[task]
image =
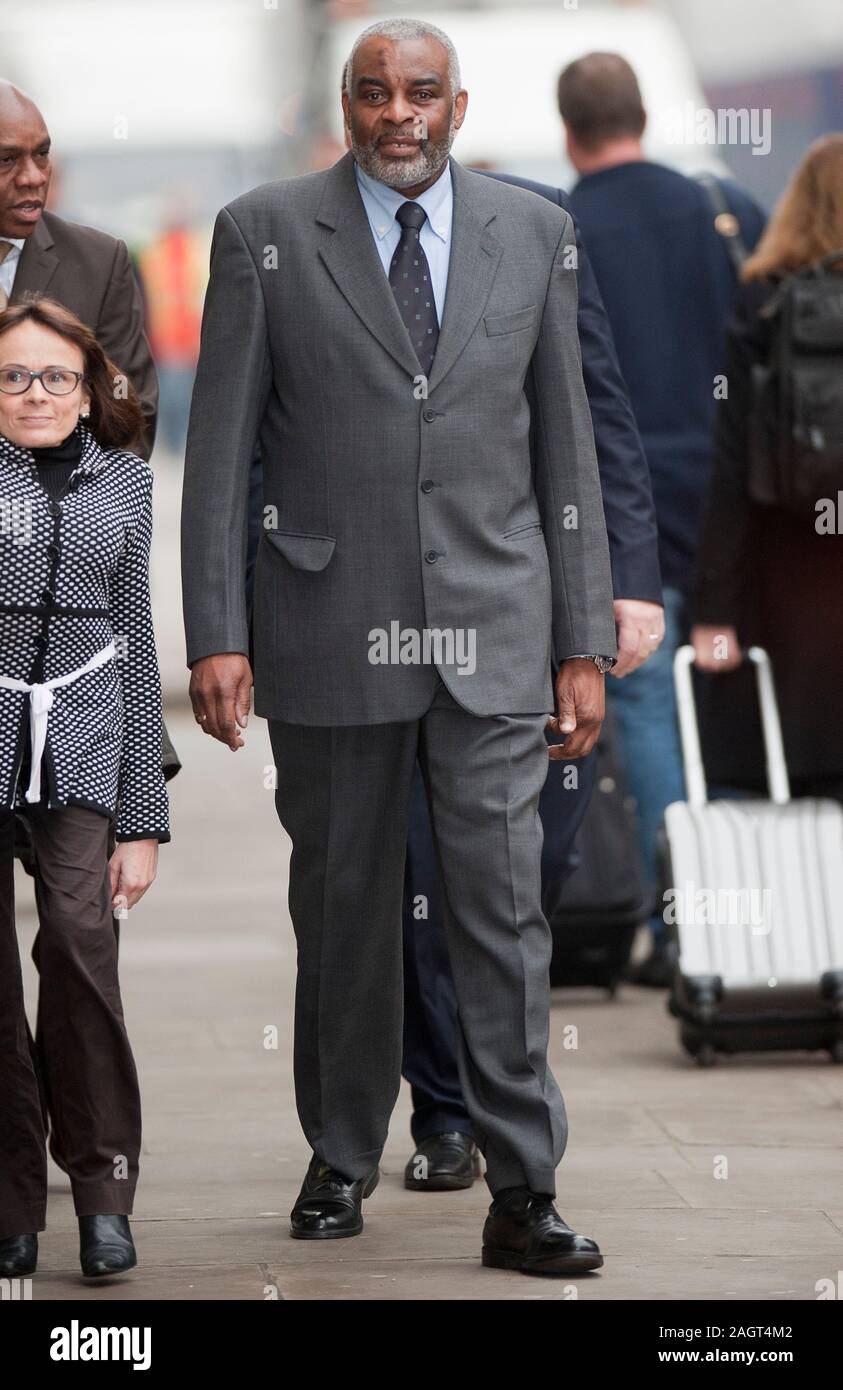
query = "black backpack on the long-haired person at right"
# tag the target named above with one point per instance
(796, 412)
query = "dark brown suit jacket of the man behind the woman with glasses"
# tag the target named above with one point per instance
(91, 275)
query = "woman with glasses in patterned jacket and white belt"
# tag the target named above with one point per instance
(81, 758)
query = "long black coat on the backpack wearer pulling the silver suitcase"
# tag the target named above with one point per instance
(770, 575)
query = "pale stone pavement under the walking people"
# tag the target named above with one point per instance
(208, 967)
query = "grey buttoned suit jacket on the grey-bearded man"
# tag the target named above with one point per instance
(476, 509)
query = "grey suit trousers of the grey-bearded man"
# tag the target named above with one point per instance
(343, 796)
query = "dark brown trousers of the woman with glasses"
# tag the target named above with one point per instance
(83, 1068)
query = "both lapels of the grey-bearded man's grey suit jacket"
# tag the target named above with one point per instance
(353, 261)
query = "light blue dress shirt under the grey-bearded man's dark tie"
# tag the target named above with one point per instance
(382, 204)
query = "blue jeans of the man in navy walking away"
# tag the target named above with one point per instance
(645, 708)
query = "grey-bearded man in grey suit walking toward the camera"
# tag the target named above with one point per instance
(433, 580)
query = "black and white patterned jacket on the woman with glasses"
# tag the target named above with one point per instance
(74, 576)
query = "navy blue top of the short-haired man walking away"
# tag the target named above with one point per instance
(668, 287)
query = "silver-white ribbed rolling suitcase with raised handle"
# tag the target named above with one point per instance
(755, 897)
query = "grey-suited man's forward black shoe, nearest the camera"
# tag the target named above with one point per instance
(524, 1231)
